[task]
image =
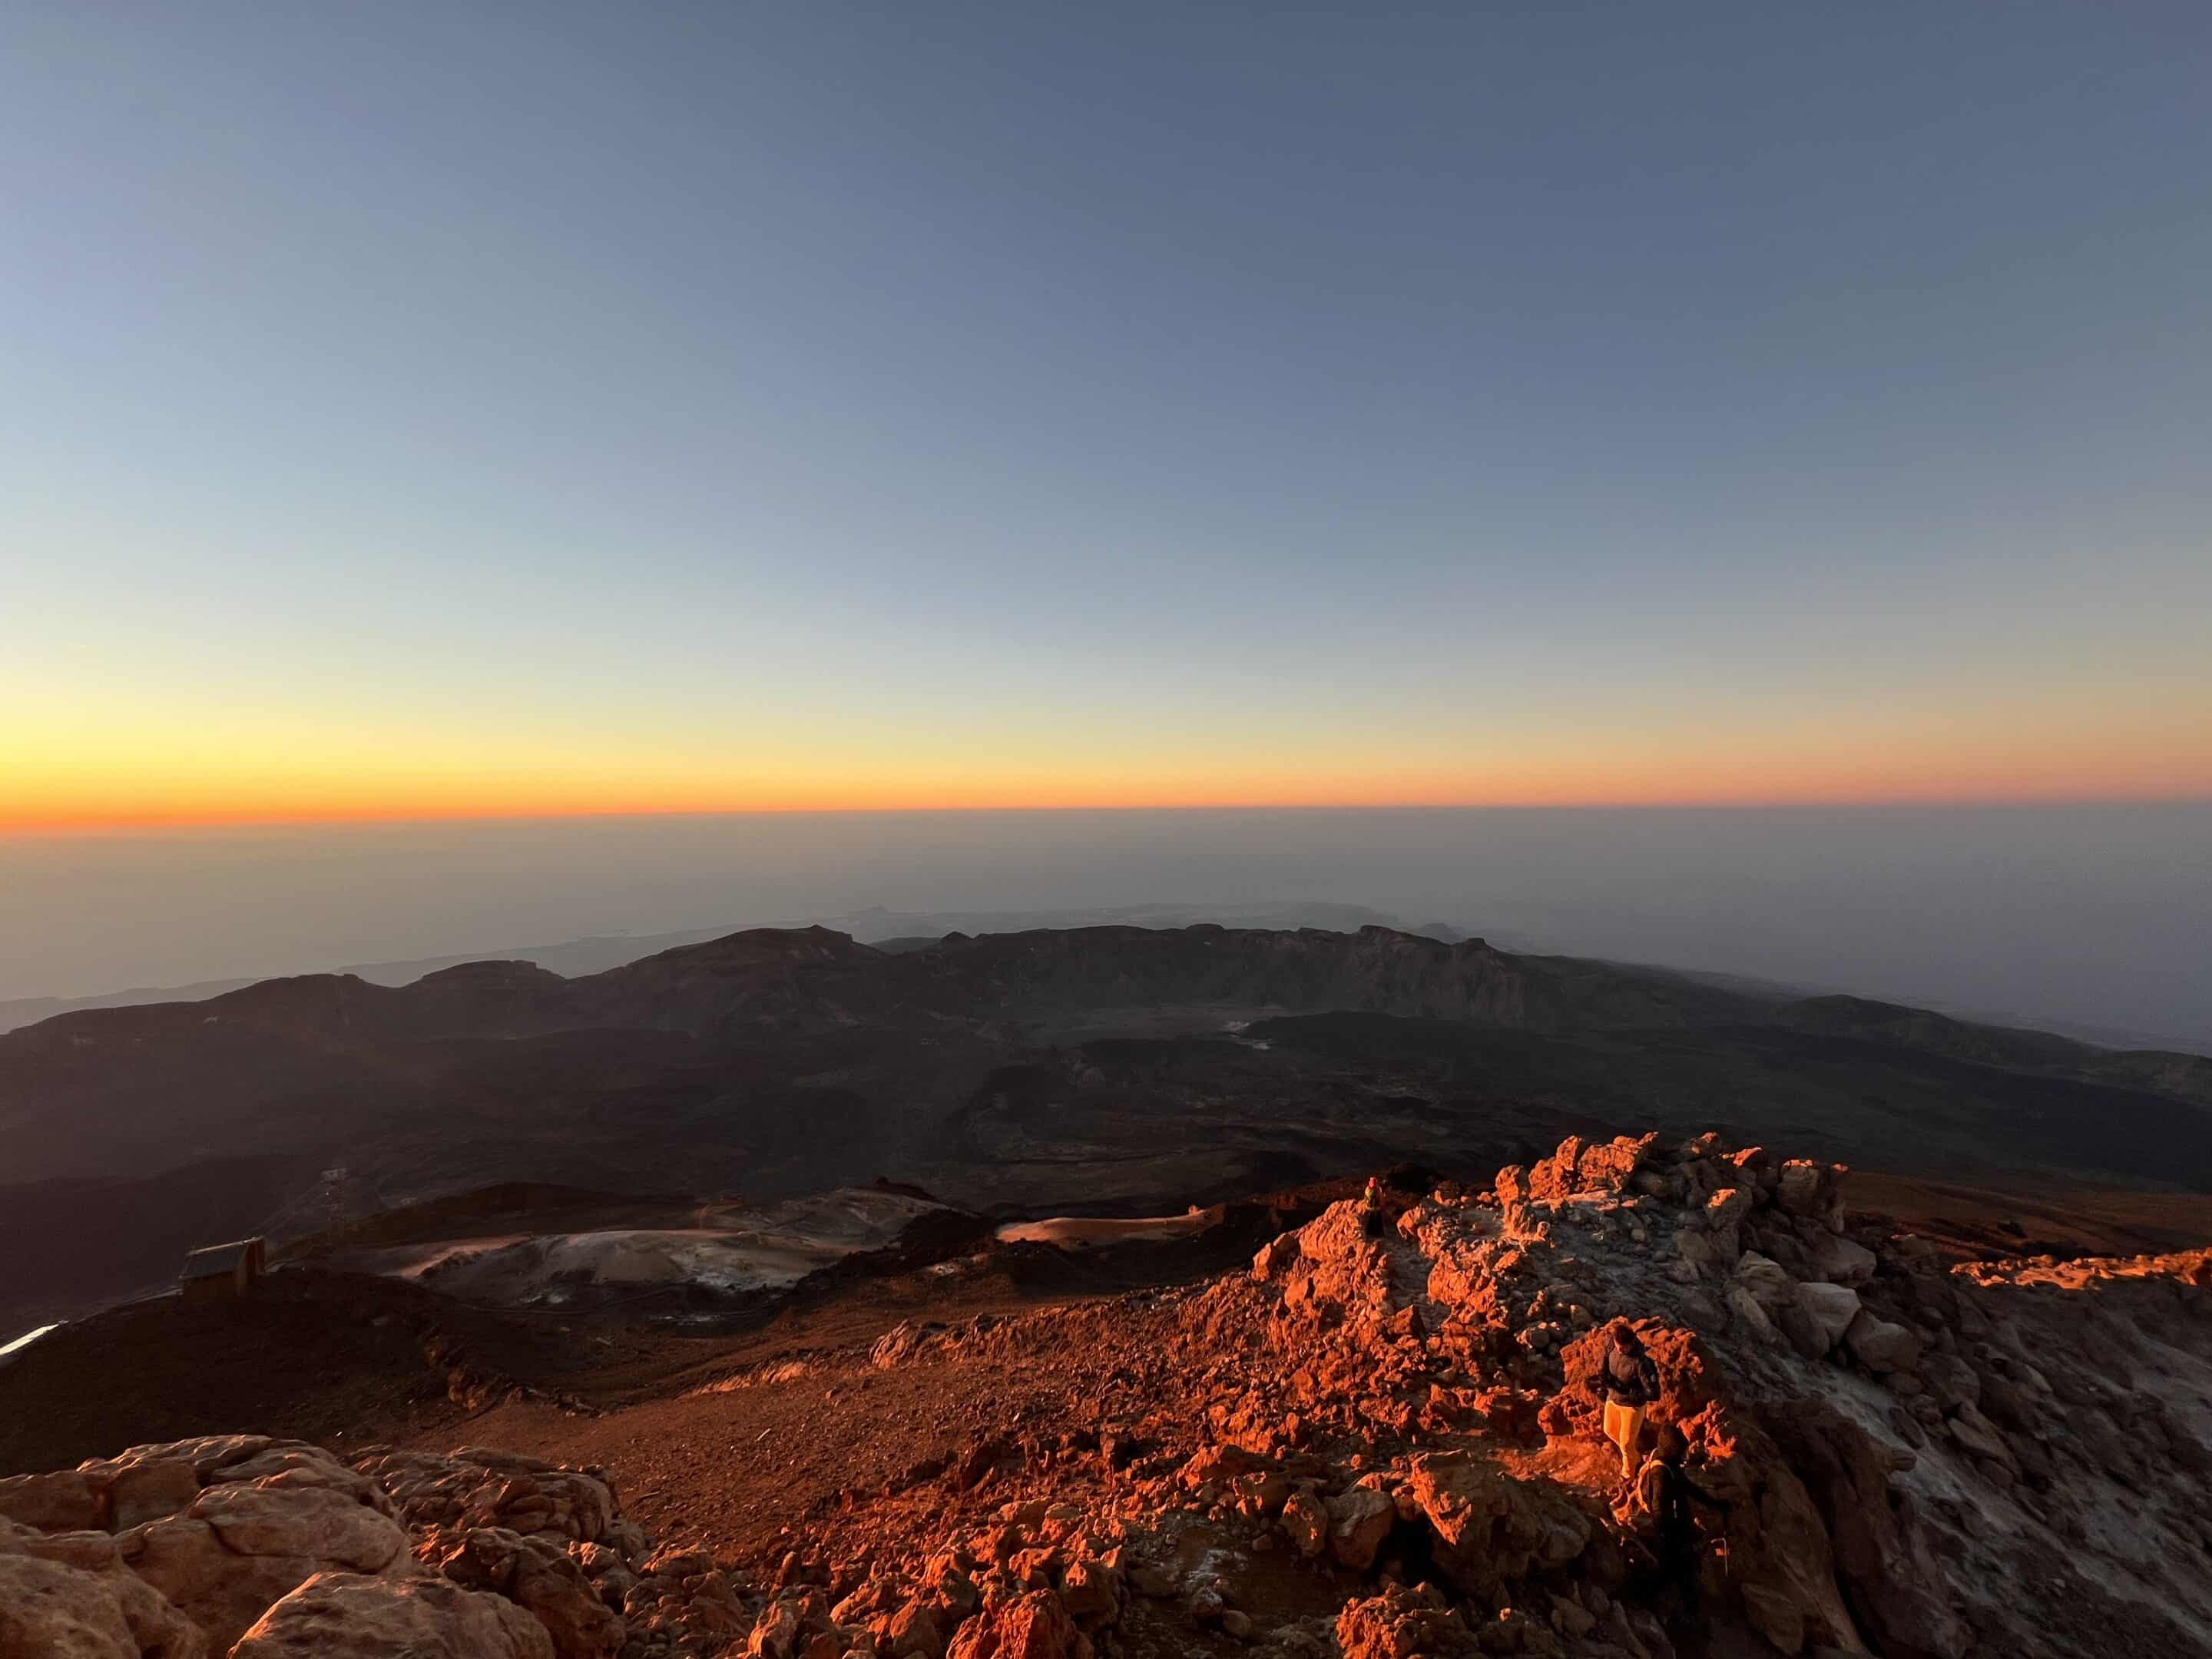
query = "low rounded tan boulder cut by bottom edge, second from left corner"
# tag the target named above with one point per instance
(346, 1616)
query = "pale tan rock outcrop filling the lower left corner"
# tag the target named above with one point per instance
(275, 1547)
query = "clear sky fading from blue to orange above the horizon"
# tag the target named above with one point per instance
(426, 410)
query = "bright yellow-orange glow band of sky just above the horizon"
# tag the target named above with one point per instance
(253, 773)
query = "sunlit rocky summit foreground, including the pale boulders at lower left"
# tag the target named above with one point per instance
(1384, 1439)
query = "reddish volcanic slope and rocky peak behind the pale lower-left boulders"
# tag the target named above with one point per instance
(1379, 1430)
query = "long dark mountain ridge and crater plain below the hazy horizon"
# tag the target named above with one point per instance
(1089, 1070)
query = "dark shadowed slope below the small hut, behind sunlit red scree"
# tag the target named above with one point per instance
(348, 1359)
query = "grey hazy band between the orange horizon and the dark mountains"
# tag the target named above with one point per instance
(2098, 915)
